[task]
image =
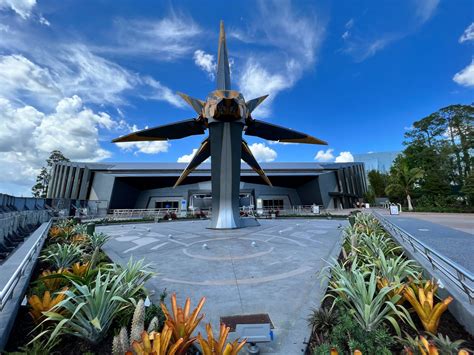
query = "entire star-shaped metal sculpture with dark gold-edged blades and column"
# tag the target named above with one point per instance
(226, 114)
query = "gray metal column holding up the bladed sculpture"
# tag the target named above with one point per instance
(226, 138)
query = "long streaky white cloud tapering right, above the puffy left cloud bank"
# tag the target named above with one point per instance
(74, 70)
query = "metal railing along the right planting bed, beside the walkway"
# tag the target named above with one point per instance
(456, 274)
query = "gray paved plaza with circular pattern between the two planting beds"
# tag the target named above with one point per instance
(270, 269)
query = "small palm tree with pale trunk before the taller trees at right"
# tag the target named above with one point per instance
(403, 179)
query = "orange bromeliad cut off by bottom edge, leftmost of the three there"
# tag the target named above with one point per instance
(156, 344)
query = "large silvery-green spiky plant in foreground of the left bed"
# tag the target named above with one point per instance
(90, 308)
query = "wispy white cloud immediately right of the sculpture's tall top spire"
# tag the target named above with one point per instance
(291, 42)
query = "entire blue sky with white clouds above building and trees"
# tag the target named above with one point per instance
(76, 74)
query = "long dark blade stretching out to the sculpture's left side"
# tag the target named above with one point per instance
(175, 130)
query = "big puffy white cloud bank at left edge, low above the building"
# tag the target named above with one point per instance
(27, 136)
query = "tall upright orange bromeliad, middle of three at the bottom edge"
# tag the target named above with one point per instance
(183, 323)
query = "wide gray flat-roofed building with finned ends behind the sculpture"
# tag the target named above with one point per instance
(150, 185)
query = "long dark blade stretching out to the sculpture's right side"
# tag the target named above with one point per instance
(278, 133)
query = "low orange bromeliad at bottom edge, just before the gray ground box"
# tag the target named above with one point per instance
(218, 346)
